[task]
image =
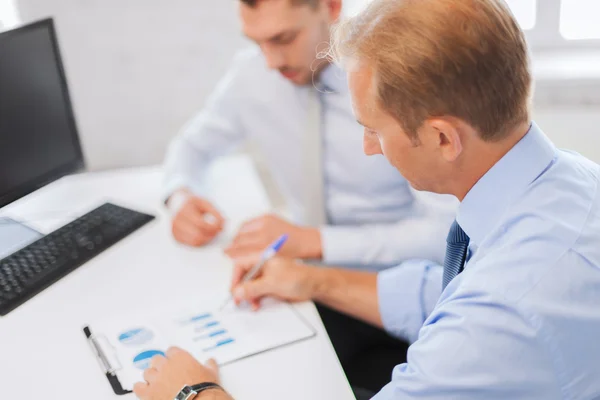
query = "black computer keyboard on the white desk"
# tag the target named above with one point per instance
(37, 266)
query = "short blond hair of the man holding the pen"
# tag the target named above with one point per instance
(462, 58)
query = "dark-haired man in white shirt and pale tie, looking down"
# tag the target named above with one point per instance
(345, 209)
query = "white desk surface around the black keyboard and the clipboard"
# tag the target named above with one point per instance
(43, 351)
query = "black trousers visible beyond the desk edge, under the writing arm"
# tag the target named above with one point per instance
(367, 354)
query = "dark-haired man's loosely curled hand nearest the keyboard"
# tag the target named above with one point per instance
(197, 222)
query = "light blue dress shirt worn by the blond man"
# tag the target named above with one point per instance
(523, 319)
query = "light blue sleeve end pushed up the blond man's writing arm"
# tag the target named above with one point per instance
(407, 295)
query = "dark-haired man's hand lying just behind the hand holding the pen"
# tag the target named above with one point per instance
(256, 235)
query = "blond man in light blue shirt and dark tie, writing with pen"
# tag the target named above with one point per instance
(443, 88)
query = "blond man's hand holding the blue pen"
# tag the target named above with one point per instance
(281, 278)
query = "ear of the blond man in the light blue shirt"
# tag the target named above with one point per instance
(445, 135)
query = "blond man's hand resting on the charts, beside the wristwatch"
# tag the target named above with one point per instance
(167, 375)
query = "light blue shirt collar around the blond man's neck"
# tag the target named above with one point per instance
(483, 206)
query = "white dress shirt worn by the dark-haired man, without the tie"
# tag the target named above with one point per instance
(374, 216)
